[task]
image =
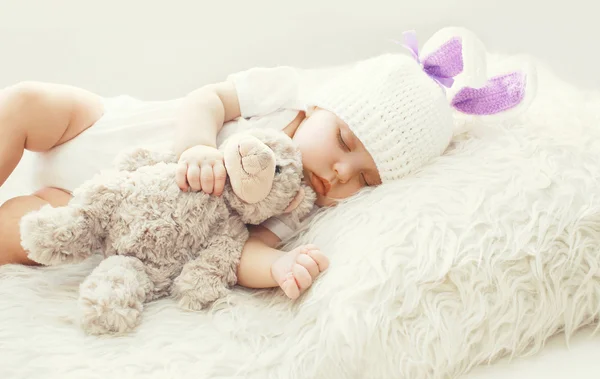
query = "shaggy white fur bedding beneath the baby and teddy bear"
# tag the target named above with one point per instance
(487, 252)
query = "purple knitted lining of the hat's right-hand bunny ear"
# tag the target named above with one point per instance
(499, 94)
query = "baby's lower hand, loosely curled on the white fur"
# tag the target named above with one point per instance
(295, 271)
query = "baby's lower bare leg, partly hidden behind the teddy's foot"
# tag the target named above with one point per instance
(10, 216)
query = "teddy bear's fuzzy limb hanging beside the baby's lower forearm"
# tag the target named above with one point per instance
(208, 277)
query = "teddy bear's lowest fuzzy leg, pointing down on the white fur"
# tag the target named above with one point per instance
(111, 298)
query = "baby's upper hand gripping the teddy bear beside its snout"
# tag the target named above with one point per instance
(201, 168)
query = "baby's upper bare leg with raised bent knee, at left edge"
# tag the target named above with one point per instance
(39, 116)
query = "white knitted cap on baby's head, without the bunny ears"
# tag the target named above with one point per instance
(398, 112)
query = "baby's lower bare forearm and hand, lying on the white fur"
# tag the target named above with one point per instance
(264, 266)
